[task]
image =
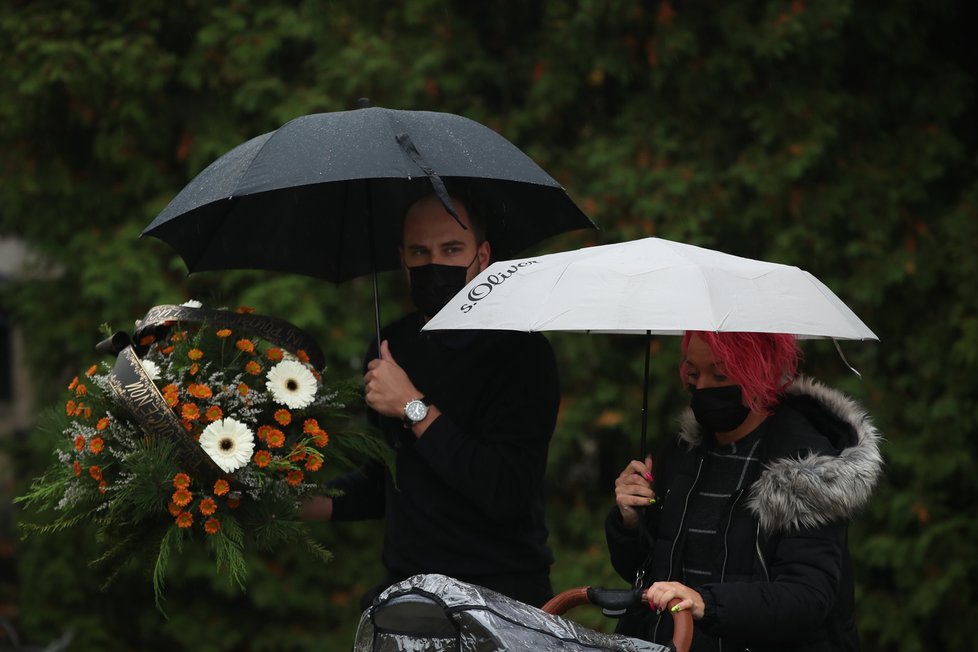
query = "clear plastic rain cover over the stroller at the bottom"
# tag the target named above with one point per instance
(435, 613)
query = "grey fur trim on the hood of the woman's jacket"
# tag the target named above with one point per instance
(812, 489)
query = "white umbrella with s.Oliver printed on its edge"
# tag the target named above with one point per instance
(649, 286)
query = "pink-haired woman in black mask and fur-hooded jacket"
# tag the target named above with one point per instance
(746, 520)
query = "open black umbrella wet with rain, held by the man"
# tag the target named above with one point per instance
(324, 194)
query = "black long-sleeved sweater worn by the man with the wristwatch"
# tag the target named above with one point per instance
(468, 498)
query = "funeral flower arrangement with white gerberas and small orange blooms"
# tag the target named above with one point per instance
(209, 426)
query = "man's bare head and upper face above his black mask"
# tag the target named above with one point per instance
(431, 235)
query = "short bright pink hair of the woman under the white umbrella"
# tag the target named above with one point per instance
(763, 364)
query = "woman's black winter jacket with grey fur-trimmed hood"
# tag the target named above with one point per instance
(787, 579)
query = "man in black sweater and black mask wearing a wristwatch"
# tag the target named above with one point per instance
(470, 415)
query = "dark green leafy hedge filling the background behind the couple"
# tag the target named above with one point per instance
(839, 136)
